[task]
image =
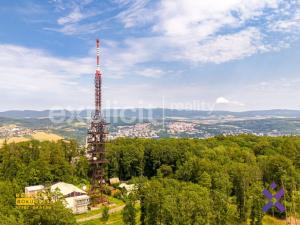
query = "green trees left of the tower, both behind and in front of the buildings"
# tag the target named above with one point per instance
(32, 163)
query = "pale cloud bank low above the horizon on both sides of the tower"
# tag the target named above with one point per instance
(31, 75)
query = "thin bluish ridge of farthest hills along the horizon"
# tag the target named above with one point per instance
(155, 113)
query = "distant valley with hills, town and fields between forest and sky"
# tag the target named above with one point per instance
(157, 123)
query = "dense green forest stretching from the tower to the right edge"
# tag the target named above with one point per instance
(230, 171)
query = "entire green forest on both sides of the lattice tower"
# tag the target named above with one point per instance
(178, 181)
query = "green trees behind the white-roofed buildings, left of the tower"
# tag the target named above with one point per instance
(34, 162)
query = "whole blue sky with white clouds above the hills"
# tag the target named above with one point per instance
(233, 55)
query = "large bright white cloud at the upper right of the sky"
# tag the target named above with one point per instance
(205, 31)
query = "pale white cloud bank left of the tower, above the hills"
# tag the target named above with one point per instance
(32, 75)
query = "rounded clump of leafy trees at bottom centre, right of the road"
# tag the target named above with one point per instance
(169, 201)
